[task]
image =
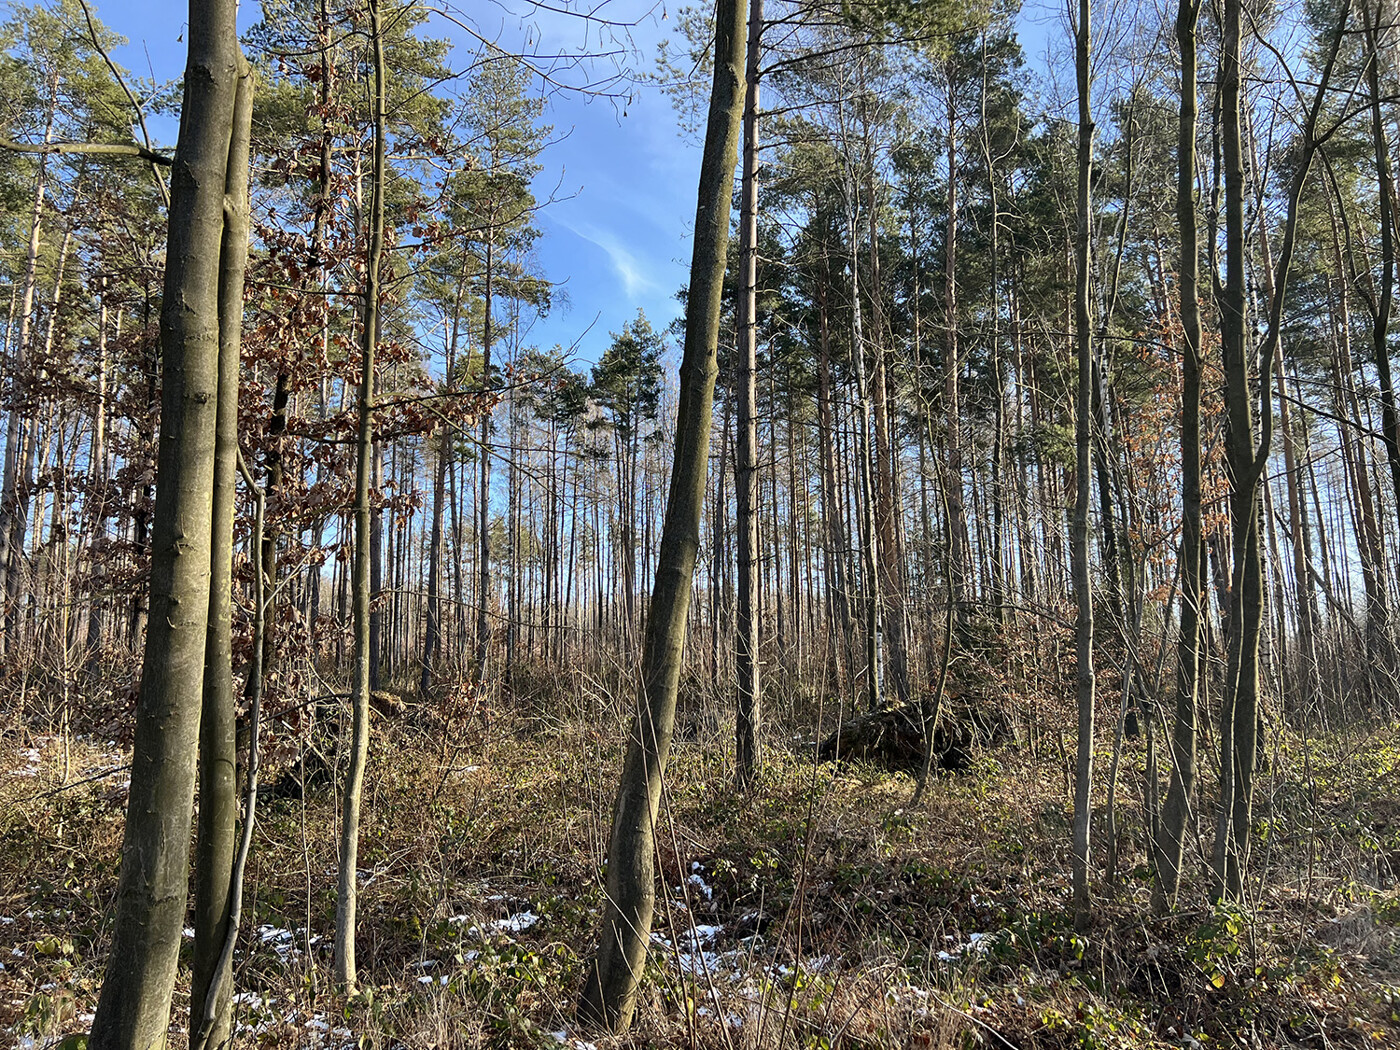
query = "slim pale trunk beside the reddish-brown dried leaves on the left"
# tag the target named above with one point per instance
(345, 968)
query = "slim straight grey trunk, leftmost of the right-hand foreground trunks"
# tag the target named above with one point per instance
(1080, 524)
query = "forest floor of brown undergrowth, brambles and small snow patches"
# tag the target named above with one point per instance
(821, 912)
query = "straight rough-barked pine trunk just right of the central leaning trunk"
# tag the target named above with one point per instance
(748, 696)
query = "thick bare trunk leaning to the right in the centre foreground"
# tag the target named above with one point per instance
(611, 986)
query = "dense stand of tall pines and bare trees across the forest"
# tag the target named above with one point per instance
(960, 405)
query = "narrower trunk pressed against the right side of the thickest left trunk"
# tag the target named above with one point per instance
(212, 971)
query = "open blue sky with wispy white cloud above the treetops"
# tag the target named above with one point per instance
(618, 239)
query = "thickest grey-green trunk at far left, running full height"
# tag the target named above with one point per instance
(134, 1010)
